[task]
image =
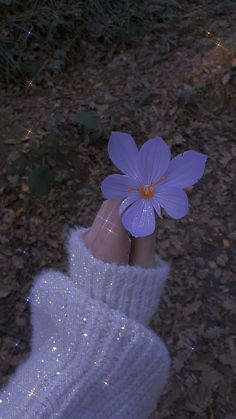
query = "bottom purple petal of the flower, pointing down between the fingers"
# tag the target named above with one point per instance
(139, 218)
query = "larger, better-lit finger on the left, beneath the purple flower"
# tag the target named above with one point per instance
(107, 238)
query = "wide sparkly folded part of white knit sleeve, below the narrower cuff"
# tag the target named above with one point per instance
(94, 361)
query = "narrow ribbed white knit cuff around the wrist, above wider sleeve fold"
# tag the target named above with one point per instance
(133, 290)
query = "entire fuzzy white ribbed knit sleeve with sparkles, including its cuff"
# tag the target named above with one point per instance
(92, 355)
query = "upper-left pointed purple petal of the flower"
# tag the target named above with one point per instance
(123, 153)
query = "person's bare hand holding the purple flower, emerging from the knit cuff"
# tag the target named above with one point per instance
(109, 241)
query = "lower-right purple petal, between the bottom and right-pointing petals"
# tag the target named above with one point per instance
(173, 200)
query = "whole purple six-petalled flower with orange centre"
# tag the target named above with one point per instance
(150, 181)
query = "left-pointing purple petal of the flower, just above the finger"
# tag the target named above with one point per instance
(117, 186)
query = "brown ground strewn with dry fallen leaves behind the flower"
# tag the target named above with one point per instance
(192, 106)
